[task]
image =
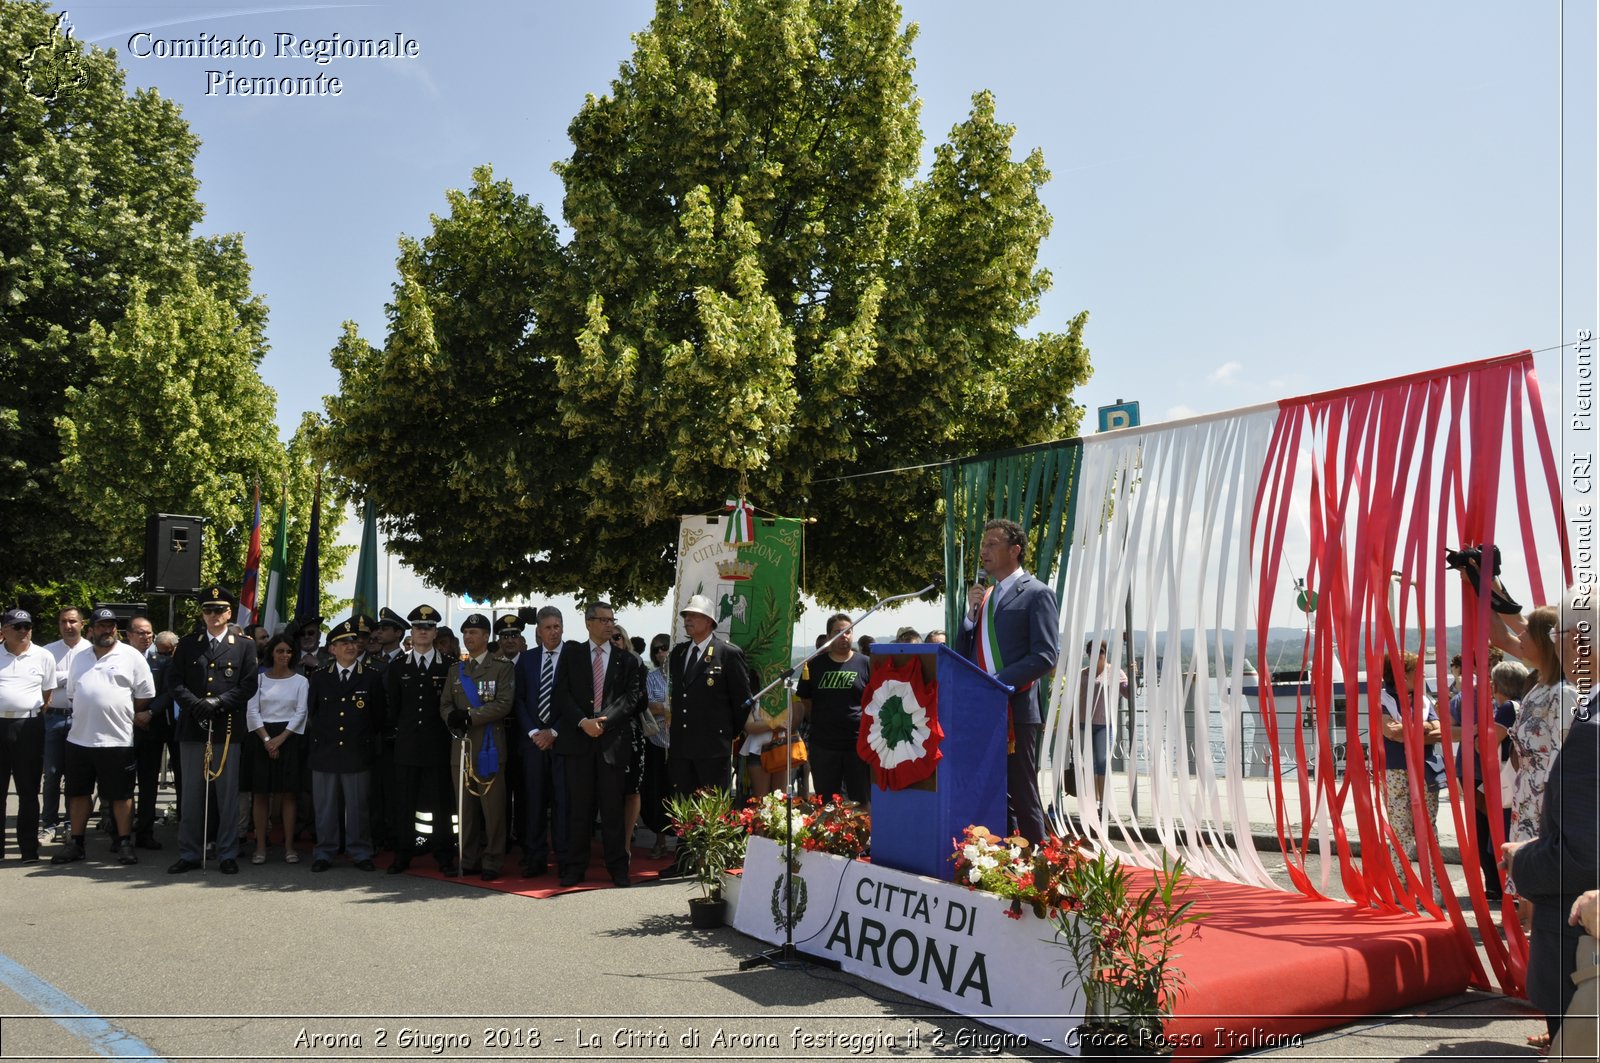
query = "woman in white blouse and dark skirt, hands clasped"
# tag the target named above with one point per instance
(273, 766)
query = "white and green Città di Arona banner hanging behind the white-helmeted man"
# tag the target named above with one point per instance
(751, 588)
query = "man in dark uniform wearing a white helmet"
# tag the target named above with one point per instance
(710, 700)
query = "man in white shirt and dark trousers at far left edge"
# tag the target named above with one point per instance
(28, 676)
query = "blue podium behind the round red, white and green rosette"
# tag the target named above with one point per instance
(916, 828)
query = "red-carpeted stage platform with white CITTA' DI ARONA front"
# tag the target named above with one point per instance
(1265, 968)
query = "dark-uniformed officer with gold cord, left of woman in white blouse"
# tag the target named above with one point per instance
(212, 678)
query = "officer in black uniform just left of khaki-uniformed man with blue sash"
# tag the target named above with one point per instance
(414, 686)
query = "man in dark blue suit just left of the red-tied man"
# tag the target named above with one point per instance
(545, 825)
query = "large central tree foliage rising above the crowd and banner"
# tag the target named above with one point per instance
(759, 291)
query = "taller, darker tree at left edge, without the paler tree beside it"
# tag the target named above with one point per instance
(97, 195)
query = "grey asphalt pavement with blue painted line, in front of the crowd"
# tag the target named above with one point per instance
(284, 965)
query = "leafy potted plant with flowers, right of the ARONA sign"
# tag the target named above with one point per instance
(1124, 944)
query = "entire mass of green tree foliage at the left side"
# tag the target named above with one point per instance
(129, 347)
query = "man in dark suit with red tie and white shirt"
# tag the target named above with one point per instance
(599, 696)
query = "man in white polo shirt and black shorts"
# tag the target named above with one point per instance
(111, 684)
